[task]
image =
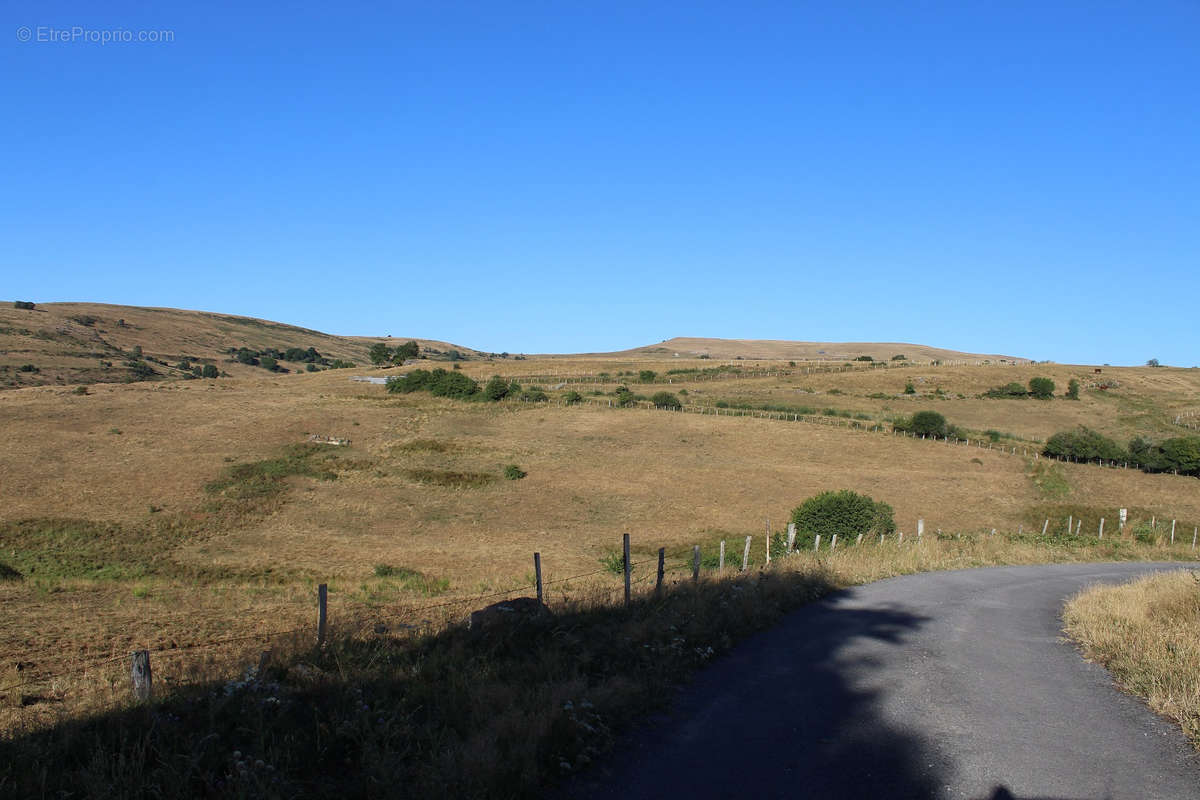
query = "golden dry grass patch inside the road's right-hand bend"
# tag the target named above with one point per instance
(1148, 635)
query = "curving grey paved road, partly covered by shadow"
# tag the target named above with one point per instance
(938, 685)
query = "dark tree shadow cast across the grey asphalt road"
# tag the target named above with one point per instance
(793, 713)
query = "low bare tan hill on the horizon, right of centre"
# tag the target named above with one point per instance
(778, 350)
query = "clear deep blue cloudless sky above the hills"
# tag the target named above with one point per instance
(1018, 178)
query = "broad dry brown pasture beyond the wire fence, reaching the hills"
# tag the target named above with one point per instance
(169, 514)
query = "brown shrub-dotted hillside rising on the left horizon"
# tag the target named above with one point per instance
(83, 344)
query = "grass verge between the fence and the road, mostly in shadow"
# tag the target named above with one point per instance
(476, 714)
